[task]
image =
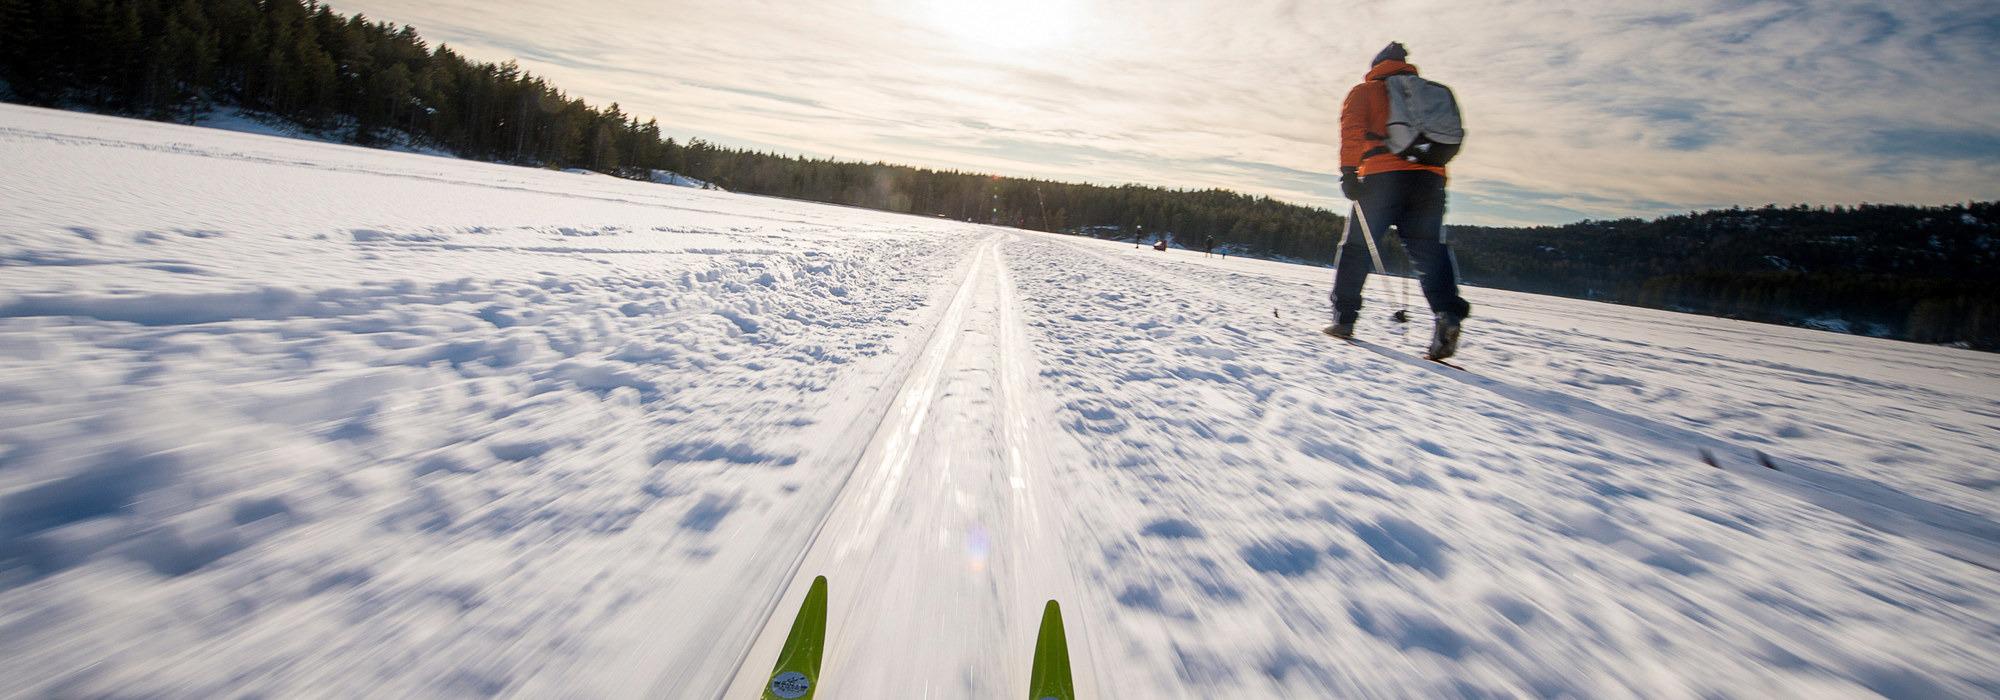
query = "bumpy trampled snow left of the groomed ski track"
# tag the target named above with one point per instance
(387, 433)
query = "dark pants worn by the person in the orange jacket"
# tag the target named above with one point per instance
(1413, 201)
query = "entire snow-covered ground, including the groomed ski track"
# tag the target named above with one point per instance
(291, 419)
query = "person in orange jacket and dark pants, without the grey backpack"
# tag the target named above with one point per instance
(1399, 193)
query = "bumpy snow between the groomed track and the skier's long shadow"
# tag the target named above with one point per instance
(1339, 523)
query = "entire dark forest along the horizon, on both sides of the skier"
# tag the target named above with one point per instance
(1897, 271)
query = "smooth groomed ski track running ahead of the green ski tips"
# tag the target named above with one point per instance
(945, 543)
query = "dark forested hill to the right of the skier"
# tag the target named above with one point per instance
(1917, 273)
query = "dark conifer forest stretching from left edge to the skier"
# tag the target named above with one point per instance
(375, 83)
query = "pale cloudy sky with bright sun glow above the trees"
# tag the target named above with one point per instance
(1573, 109)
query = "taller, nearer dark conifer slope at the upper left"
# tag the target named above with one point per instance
(309, 65)
